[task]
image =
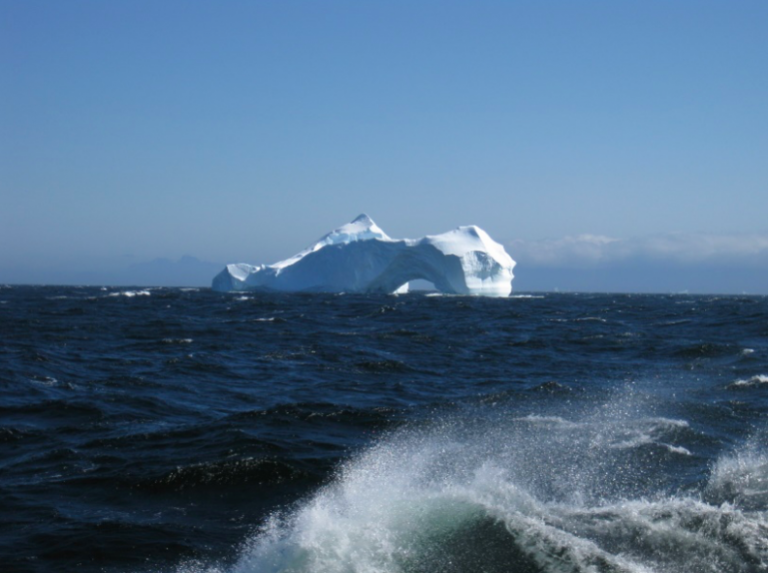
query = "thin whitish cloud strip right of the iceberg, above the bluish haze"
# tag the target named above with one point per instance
(589, 251)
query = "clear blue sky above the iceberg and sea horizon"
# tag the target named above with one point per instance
(580, 135)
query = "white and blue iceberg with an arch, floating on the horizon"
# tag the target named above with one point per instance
(360, 258)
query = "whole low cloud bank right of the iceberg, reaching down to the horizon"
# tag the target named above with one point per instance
(695, 263)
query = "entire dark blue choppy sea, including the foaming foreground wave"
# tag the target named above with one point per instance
(187, 431)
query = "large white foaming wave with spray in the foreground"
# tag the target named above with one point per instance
(530, 495)
